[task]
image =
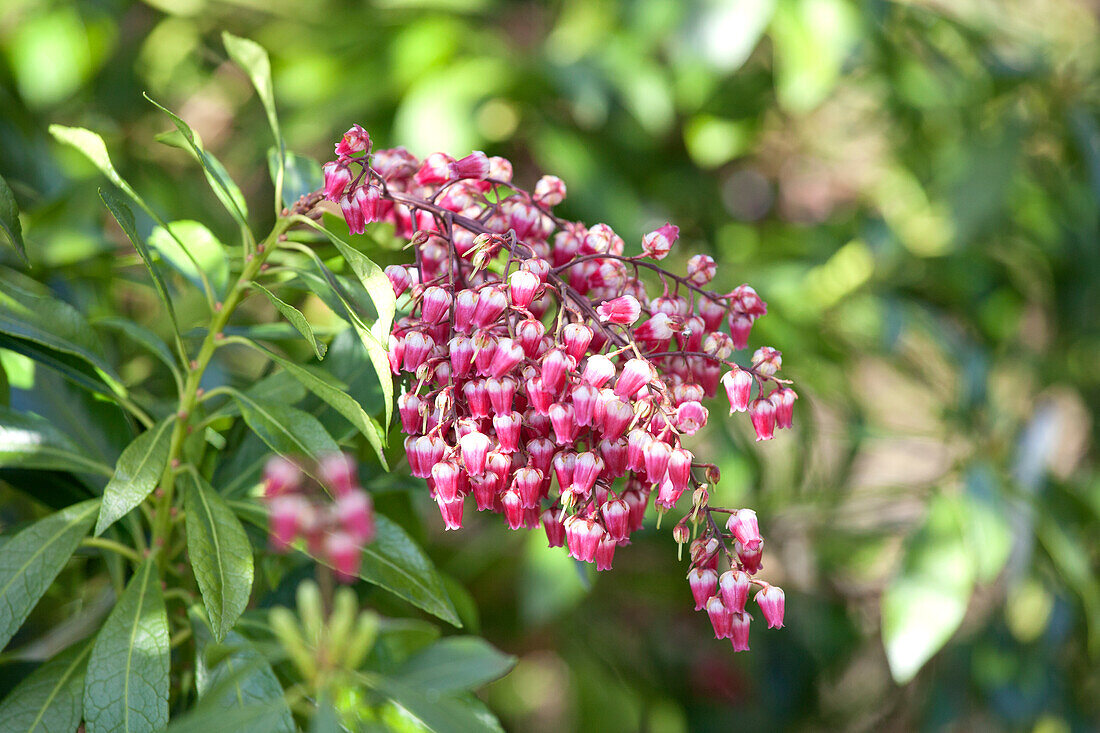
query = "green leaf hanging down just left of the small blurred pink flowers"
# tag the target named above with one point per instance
(221, 554)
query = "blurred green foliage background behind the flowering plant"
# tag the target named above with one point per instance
(914, 188)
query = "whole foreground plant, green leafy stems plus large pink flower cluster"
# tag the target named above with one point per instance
(545, 375)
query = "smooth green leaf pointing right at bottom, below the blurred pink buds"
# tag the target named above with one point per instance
(455, 664)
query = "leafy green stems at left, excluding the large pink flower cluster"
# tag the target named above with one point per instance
(191, 529)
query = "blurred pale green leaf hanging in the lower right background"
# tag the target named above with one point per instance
(926, 604)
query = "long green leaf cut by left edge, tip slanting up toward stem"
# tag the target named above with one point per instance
(30, 562)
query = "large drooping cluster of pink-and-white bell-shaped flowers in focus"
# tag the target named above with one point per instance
(545, 378)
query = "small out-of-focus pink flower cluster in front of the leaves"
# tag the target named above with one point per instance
(335, 516)
